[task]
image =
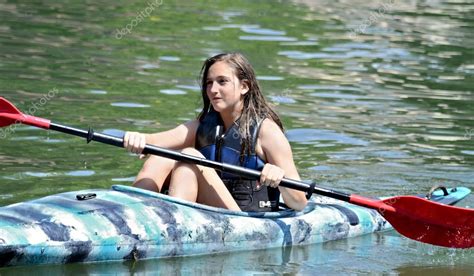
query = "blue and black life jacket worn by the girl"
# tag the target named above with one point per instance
(226, 147)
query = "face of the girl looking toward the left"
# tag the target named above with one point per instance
(224, 89)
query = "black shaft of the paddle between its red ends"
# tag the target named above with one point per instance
(90, 135)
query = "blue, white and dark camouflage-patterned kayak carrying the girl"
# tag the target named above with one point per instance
(127, 223)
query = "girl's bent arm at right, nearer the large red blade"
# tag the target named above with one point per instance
(279, 156)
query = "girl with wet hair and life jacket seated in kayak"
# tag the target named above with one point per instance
(236, 126)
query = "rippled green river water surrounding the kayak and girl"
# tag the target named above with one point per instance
(376, 97)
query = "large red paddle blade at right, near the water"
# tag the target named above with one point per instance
(431, 222)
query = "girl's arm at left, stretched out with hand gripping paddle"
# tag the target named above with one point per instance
(180, 137)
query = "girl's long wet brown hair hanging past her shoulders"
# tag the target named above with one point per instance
(255, 106)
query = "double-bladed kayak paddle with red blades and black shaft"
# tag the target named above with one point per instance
(416, 218)
